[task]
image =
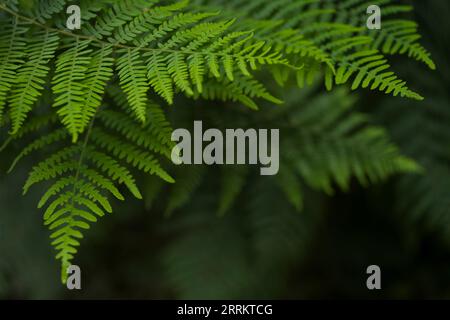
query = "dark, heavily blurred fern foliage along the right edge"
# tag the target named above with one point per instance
(423, 199)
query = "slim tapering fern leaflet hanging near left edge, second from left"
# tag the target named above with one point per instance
(31, 76)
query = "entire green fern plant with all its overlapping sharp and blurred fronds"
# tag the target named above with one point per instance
(95, 98)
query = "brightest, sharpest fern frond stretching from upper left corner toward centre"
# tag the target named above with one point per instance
(151, 46)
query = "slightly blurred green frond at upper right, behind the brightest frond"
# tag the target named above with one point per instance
(324, 34)
